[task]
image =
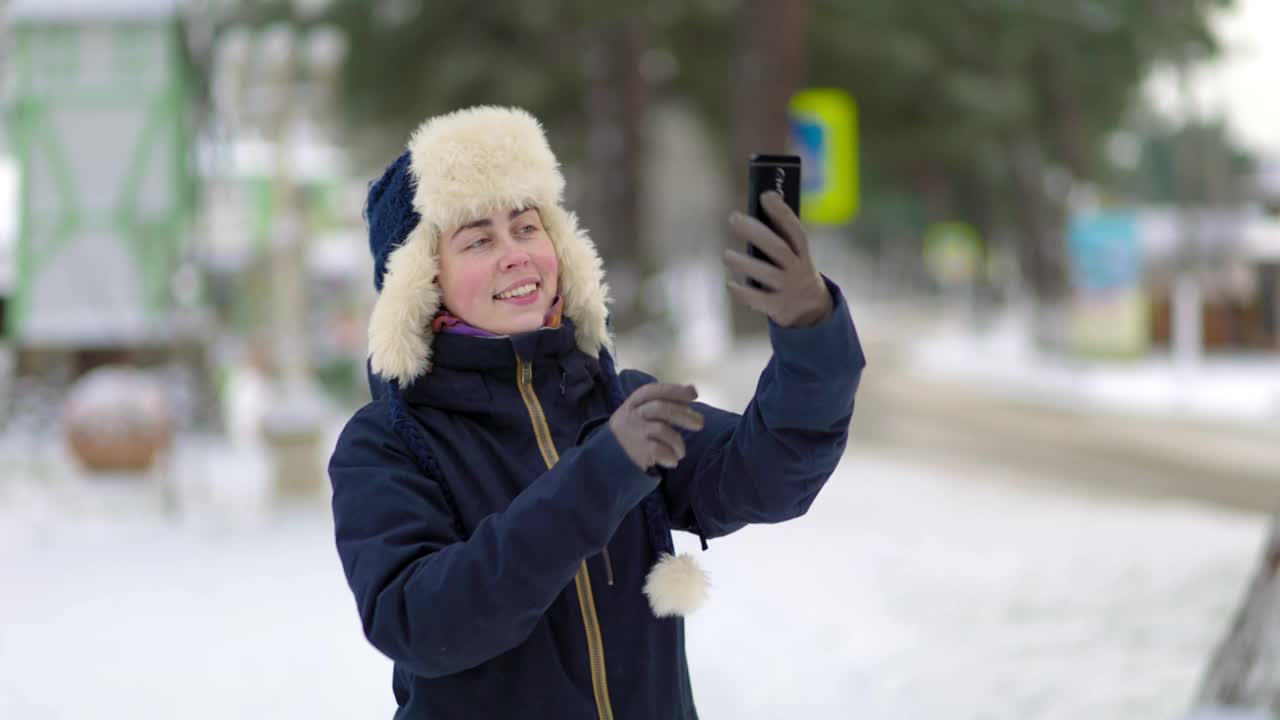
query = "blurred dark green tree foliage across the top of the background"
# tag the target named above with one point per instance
(986, 111)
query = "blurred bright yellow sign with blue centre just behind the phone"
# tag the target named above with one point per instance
(825, 134)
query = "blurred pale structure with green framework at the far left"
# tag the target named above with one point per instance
(99, 121)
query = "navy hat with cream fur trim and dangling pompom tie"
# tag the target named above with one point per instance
(460, 167)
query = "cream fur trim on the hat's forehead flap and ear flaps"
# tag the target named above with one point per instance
(468, 165)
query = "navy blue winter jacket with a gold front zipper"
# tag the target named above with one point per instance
(467, 553)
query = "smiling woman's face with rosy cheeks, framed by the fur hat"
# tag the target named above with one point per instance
(488, 266)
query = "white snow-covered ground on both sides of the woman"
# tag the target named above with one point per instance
(908, 593)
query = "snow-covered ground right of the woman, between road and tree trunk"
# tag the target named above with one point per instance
(909, 593)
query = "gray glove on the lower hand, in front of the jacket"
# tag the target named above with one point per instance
(646, 425)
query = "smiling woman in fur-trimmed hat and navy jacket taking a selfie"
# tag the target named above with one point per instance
(504, 508)
